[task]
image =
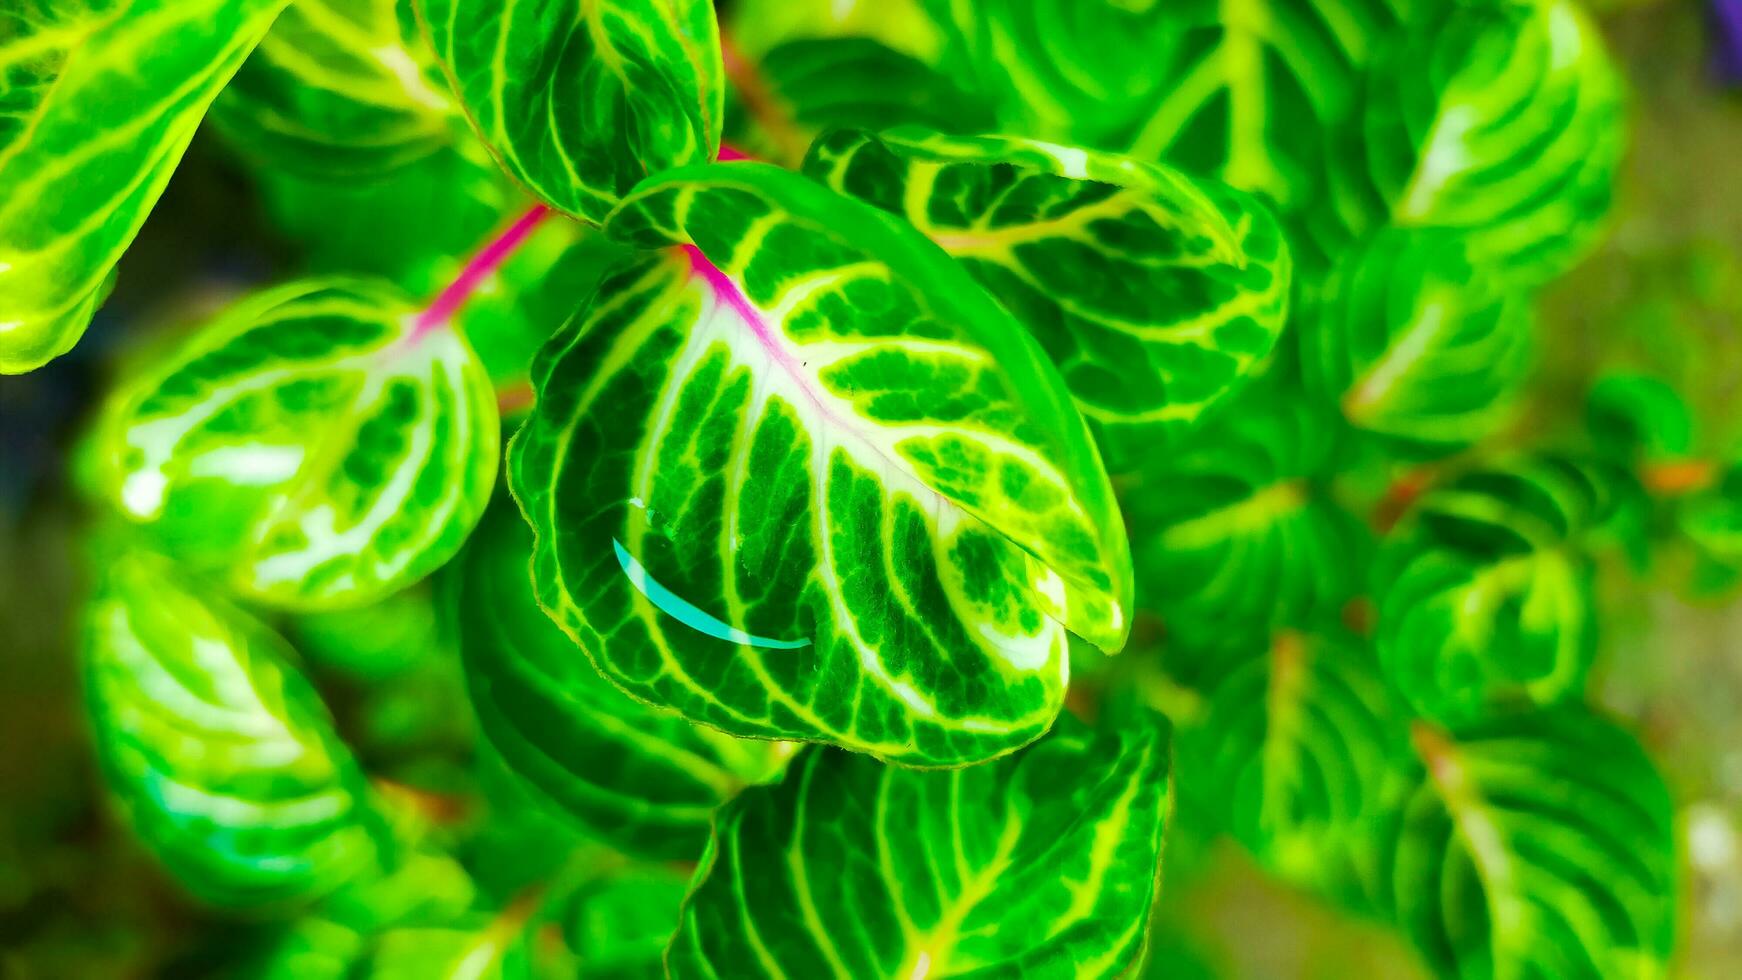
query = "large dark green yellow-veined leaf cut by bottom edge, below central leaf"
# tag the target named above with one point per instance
(1043, 864)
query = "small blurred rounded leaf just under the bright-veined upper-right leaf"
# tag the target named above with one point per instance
(1419, 344)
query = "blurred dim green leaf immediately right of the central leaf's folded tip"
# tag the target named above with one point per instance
(1238, 528)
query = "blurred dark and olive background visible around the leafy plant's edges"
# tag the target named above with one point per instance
(81, 899)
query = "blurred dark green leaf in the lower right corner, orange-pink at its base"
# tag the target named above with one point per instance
(1537, 847)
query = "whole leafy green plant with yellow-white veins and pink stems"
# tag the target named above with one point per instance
(773, 506)
